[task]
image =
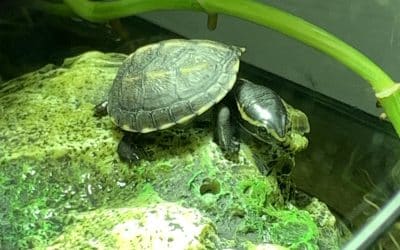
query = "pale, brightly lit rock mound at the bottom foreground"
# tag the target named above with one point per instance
(158, 225)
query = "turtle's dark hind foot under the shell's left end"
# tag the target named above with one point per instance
(129, 151)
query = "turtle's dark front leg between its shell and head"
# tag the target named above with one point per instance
(224, 133)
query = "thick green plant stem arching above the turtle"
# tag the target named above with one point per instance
(262, 14)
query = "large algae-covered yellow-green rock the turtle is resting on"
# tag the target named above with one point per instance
(59, 170)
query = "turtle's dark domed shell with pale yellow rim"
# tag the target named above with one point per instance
(170, 82)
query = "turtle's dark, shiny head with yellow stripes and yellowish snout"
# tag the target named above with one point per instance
(261, 112)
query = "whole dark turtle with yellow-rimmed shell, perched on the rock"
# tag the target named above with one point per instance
(173, 81)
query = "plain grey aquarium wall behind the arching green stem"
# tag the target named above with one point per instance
(370, 26)
